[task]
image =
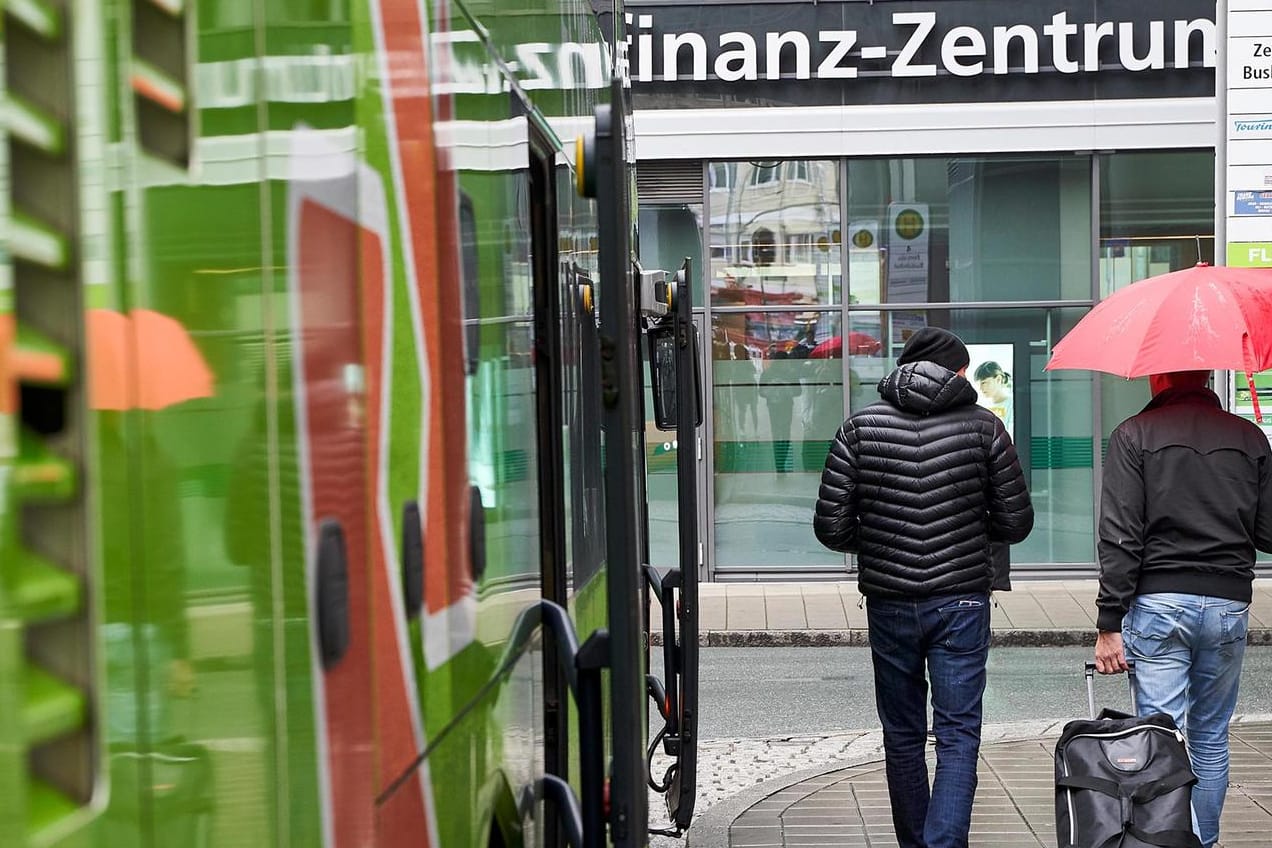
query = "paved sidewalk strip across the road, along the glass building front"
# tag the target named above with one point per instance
(1037, 612)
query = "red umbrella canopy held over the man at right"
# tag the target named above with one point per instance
(1198, 320)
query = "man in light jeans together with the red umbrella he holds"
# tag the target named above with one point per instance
(1187, 499)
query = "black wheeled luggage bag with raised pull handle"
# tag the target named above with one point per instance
(1121, 781)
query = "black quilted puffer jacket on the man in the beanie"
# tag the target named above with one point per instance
(920, 485)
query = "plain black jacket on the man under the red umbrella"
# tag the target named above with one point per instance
(1187, 498)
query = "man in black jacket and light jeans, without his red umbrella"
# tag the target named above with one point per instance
(1187, 498)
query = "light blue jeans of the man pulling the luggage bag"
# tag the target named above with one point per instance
(1187, 653)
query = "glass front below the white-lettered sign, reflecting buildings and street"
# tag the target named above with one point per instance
(1002, 252)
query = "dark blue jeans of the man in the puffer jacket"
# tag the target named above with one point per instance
(944, 640)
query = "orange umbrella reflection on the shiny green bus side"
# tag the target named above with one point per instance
(170, 368)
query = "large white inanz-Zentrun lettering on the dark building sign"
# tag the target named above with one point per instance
(1059, 45)
